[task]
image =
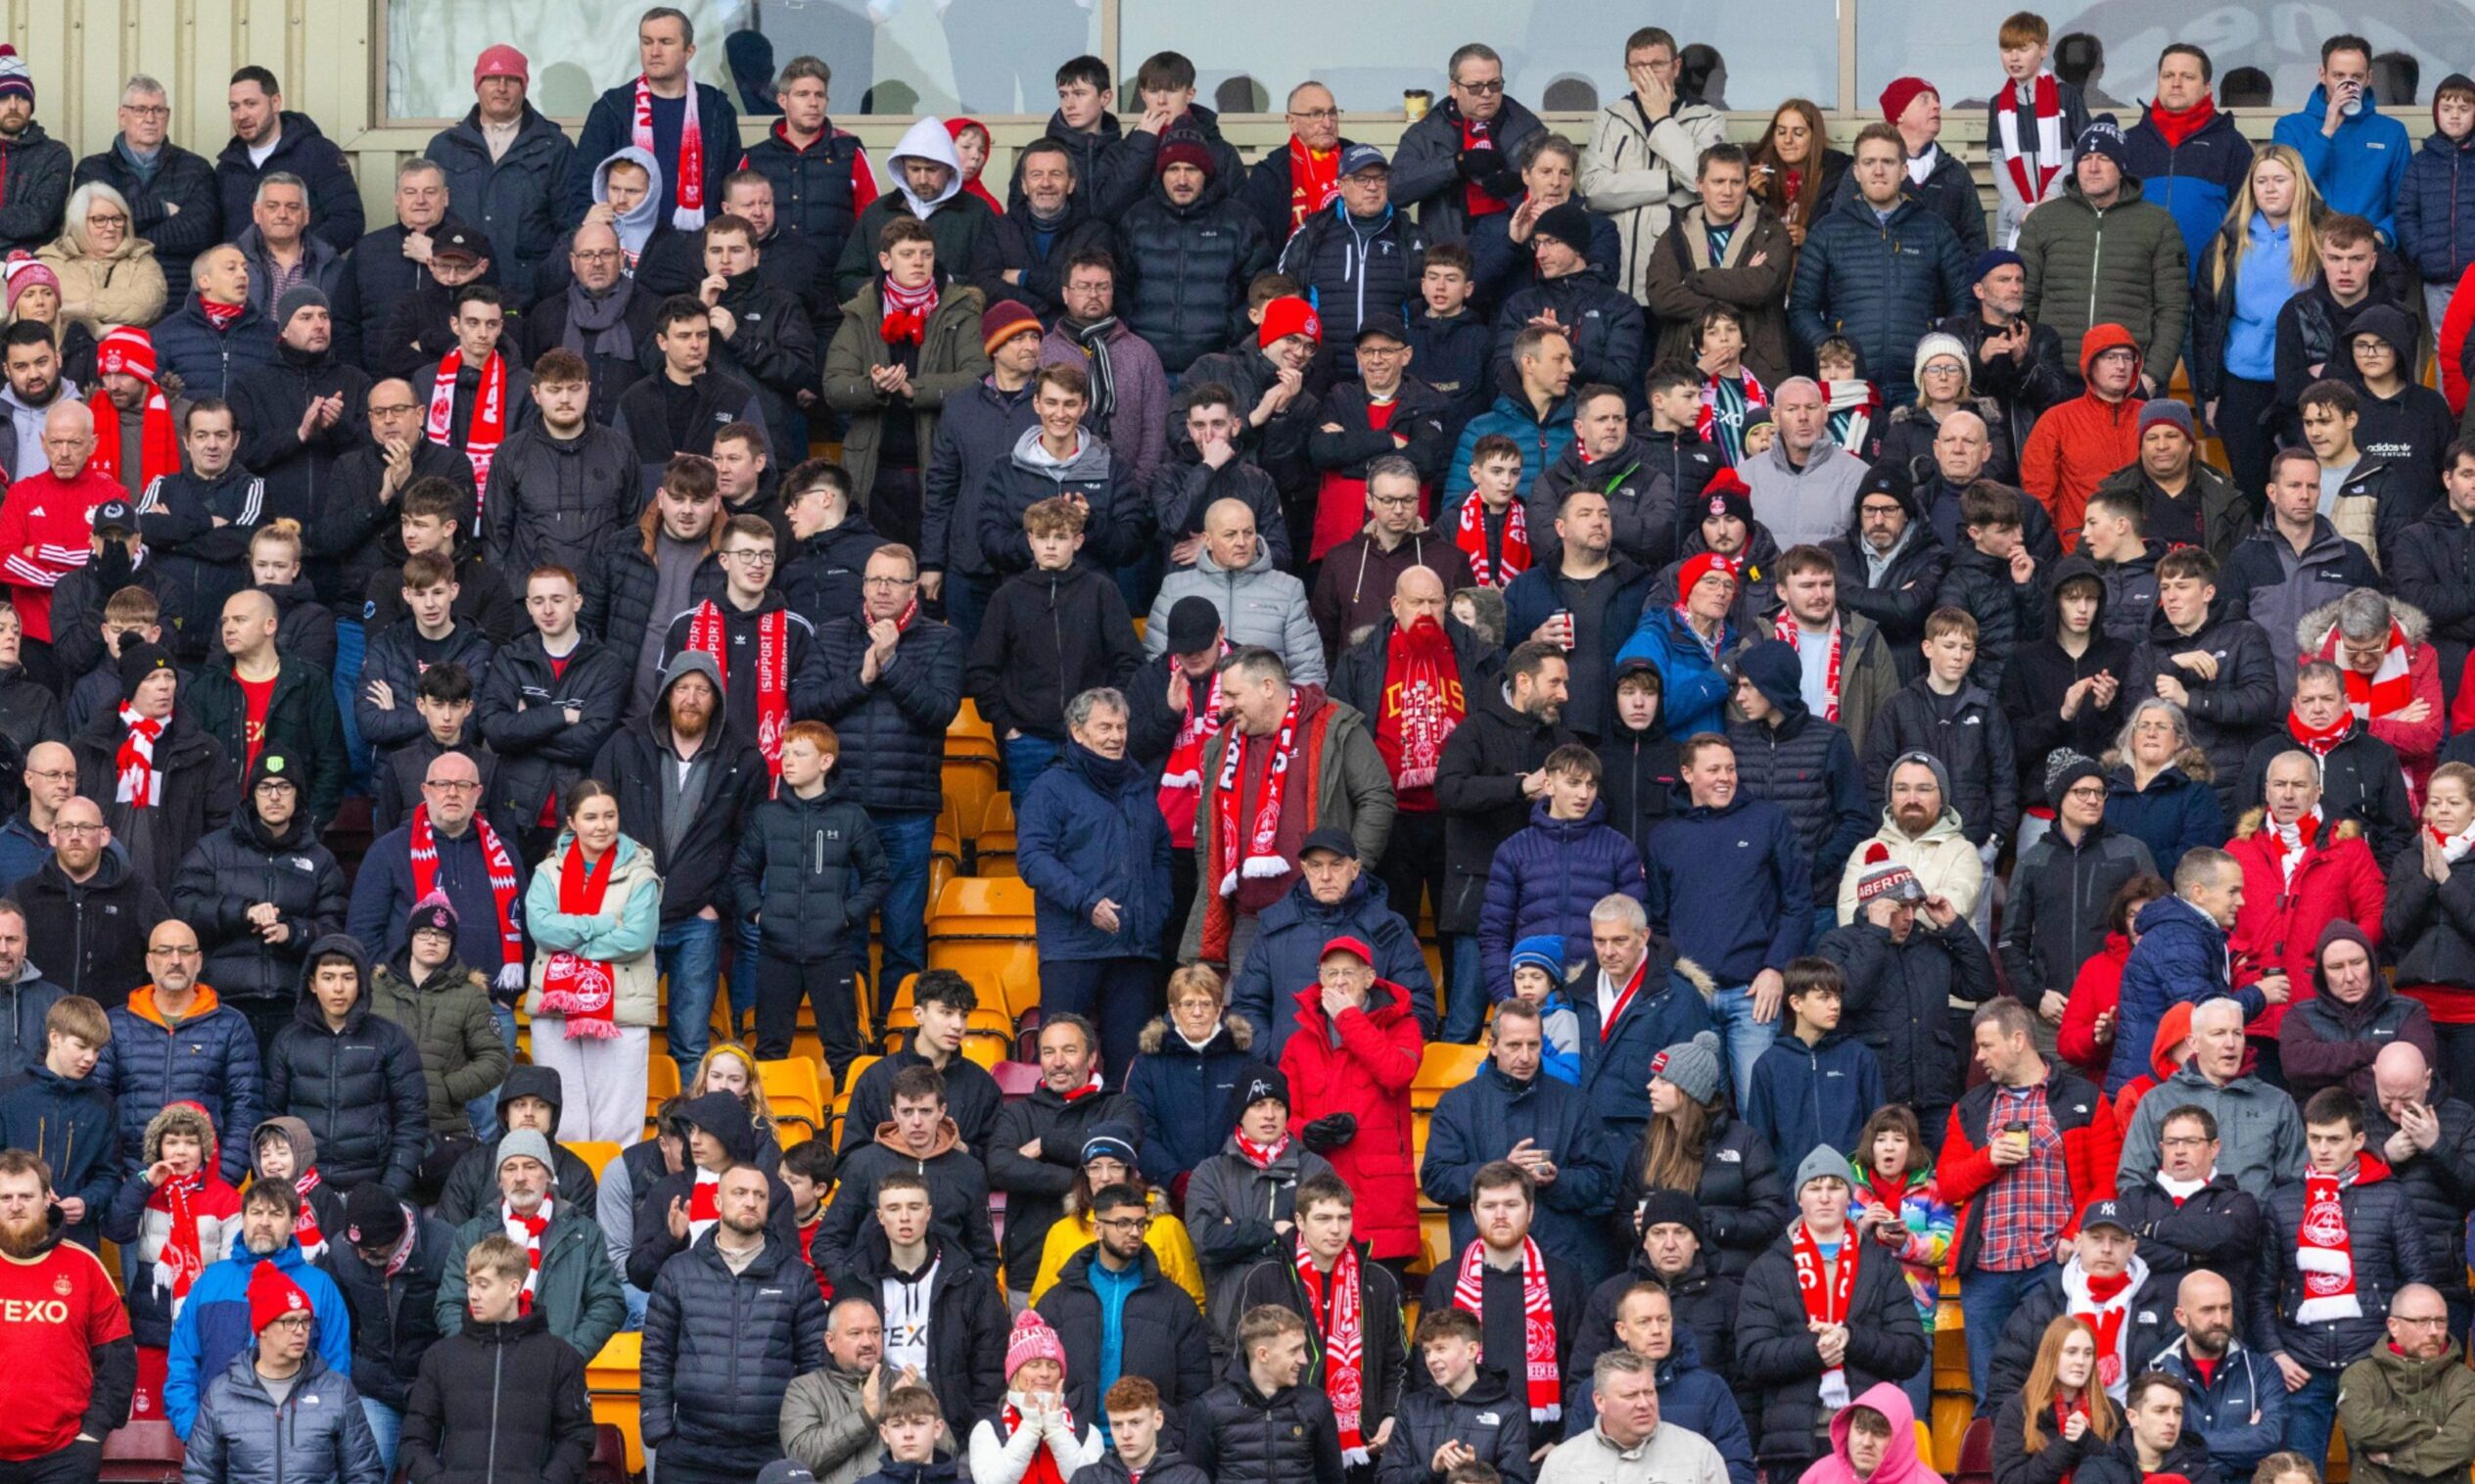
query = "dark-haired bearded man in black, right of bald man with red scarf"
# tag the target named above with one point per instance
(1489, 778)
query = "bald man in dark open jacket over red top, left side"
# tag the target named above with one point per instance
(256, 699)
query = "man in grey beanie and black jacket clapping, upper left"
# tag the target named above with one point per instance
(303, 414)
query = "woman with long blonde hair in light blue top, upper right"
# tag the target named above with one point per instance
(2266, 254)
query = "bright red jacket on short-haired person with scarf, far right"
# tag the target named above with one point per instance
(2281, 921)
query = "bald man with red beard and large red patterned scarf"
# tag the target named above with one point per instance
(1432, 679)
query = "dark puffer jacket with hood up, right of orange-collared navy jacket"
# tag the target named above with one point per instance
(358, 1090)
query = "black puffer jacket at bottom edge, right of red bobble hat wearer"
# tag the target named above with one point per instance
(499, 1401)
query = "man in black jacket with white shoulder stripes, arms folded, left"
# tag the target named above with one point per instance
(197, 526)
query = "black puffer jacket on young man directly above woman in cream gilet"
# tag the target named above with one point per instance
(523, 719)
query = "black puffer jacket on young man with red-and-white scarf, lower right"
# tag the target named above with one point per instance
(2387, 1245)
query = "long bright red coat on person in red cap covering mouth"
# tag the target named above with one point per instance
(1365, 1077)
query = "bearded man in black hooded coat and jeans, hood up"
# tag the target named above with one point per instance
(687, 783)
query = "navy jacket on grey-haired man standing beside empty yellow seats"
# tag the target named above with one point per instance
(1090, 830)
